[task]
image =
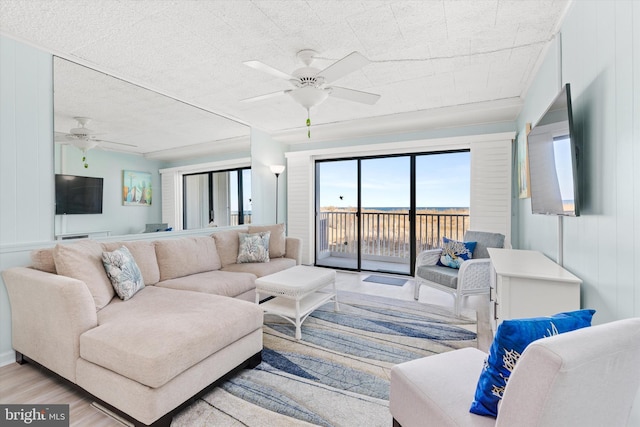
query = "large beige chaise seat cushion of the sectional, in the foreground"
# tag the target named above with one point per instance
(173, 331)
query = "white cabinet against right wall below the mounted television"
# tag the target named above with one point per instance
(528, 284)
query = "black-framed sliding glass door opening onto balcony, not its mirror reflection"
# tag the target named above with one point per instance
(376, 213)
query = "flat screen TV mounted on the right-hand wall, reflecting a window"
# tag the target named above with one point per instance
(553, 160)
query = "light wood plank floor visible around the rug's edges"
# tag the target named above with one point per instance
(28, 384)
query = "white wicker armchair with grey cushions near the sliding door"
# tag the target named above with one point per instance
(471, 279)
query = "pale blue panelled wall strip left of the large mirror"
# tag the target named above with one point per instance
(26, 160)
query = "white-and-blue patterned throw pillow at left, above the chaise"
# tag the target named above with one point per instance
(123, 272)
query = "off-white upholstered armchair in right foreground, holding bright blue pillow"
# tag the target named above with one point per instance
(588, 377)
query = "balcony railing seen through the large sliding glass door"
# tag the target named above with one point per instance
(386, 234)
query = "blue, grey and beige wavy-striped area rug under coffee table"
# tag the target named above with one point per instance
(338, 373)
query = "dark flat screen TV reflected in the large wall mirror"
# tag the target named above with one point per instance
(78, 195)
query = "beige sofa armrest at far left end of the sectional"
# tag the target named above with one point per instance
(48, 315)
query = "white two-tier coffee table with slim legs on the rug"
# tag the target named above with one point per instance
(298, 291)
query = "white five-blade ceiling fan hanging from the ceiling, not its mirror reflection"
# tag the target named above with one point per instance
(311, 86)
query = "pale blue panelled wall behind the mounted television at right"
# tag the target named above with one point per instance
(600, 57)
